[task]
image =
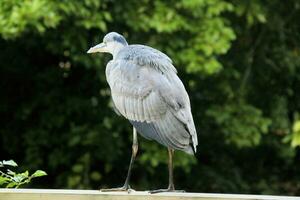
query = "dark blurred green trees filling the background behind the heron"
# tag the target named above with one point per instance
(238, 59)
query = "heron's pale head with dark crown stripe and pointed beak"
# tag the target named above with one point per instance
(112, 43)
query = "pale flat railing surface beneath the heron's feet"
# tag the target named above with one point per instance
(50, 194)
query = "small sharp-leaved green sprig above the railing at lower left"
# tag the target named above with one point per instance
(11, 179)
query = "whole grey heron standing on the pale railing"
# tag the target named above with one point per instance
(146, 90)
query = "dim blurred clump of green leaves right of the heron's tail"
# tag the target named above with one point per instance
(242, 124)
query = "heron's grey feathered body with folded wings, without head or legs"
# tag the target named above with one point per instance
(146, 90)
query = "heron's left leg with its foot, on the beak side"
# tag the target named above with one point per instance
(126, 186)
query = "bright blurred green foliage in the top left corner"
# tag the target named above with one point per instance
(17, 16)
